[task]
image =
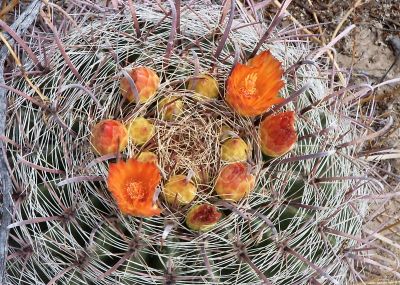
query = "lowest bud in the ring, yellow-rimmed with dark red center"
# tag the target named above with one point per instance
(202, 217)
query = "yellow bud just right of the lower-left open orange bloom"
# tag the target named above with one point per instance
(179, 190)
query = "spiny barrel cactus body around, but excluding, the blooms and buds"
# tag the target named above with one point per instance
(292, 228)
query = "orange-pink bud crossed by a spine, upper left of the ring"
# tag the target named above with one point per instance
(146, 82)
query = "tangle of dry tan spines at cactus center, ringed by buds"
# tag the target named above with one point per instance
(191, 143)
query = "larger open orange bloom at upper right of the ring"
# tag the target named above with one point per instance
(253, 88)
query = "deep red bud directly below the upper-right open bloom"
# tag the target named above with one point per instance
(277, 134)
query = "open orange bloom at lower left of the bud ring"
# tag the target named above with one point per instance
(133, 184)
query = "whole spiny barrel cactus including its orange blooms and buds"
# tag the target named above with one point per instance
(294, 223)
